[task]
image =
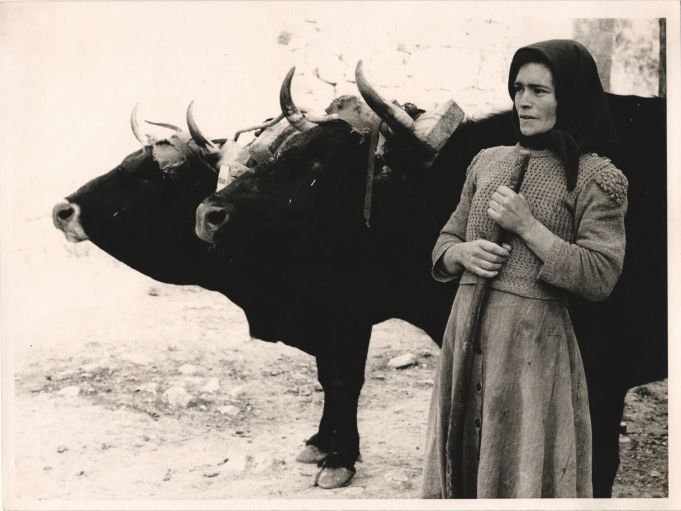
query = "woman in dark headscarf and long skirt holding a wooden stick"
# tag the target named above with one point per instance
(522, 428)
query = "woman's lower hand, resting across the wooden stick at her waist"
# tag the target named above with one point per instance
(480, 257)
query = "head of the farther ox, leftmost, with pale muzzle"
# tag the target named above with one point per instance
(142, 211)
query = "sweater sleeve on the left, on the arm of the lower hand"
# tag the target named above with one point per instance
(454, 230)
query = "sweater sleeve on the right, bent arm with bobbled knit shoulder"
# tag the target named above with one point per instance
(591, 266)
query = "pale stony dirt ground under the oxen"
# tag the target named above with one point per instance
(189, 407)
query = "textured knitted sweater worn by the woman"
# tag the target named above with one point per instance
(586, 260)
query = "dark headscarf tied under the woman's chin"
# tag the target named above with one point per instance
(583, 120)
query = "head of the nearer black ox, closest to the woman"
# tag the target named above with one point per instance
(311, 185)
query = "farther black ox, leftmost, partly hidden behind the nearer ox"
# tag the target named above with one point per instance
(143, 211)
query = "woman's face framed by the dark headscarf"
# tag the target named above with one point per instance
(535, 99)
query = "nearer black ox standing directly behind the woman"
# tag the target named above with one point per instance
(294, 228)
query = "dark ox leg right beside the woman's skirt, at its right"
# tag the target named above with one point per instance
(606, 408)
